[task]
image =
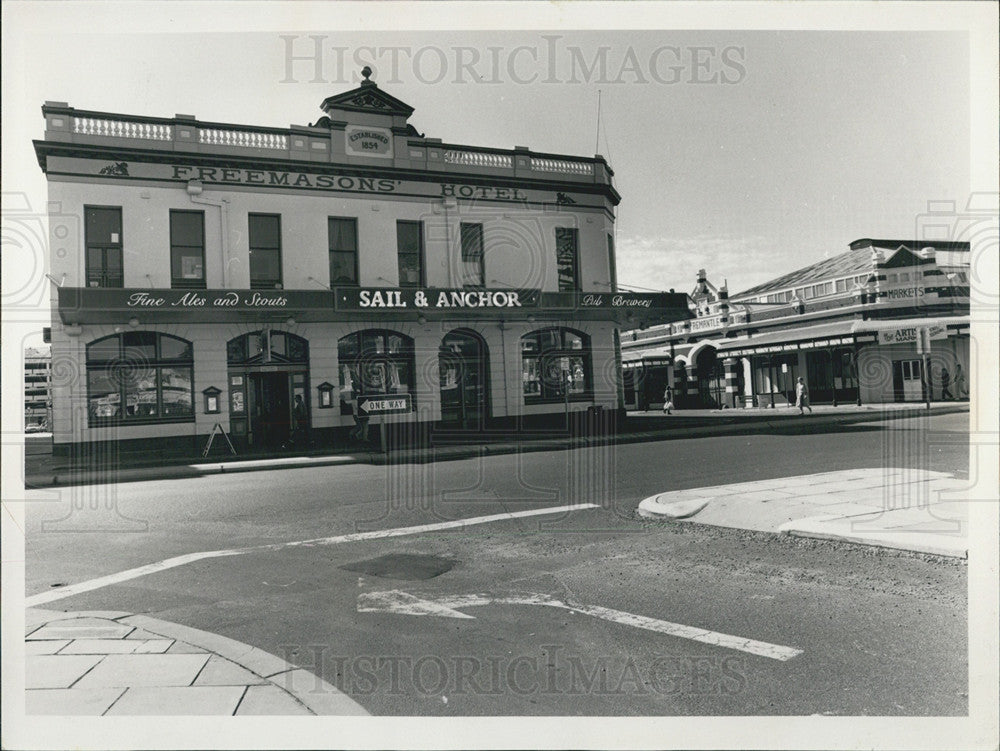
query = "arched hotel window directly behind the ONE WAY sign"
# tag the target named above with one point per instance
(374, 362)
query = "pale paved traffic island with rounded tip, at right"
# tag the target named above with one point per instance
(904, 509)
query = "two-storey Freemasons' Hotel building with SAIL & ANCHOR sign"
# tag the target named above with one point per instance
(281, 280)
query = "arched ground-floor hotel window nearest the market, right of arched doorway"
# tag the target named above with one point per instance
(555, 364)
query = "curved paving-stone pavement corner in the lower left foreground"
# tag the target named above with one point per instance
(116, 663)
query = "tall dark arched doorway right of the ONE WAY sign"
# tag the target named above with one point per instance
(463, 368)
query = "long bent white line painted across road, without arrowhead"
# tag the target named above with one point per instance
(152, 568)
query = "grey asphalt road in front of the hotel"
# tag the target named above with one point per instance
(880, 633)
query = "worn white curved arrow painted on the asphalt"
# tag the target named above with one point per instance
(396, 601)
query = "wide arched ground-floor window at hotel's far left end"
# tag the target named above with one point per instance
(140, 377)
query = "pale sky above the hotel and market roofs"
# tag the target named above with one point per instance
(748, 153)
